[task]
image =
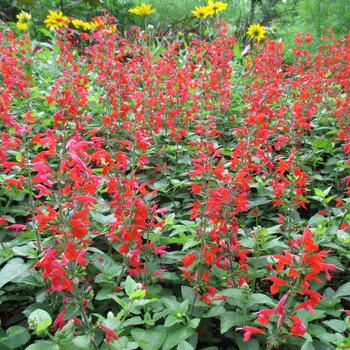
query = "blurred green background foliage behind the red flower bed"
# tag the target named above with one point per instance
(283, 18)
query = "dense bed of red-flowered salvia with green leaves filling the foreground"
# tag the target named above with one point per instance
(177, 196)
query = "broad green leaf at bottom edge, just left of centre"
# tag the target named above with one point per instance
(150, 339)
